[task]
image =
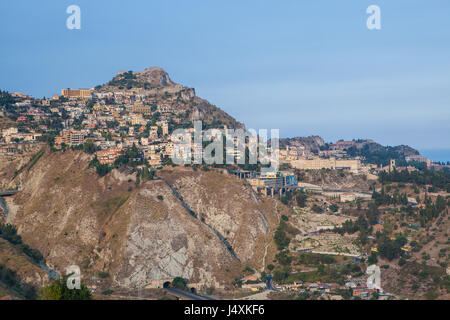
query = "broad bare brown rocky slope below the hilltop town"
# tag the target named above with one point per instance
(203, 226)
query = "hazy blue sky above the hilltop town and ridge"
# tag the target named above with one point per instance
(304, 67)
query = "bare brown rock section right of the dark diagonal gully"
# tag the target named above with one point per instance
(230, 207)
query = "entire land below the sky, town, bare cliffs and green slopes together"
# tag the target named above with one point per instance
(102, 157)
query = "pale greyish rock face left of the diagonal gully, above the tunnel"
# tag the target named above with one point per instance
(163, 241)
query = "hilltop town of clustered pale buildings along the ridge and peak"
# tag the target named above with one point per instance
(142, 109)
